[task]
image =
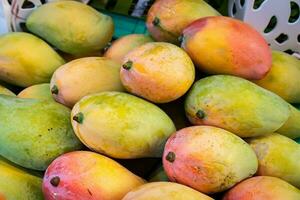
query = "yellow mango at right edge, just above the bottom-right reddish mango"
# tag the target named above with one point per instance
(278, 157)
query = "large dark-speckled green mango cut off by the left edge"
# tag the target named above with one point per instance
(34, 132)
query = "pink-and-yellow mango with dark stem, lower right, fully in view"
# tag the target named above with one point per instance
(201, 159)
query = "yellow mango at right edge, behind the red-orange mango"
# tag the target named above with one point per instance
(283, 78)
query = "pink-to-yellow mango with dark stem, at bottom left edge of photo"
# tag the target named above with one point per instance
(86, 175)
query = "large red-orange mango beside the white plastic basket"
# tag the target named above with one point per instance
(222, 45)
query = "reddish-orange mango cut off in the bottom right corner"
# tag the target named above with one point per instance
(263, 188)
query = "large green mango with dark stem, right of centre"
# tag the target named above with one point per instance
(237, 105)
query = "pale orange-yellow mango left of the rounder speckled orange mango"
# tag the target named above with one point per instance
(85, 76)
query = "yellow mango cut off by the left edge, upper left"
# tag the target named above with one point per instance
(26, 60)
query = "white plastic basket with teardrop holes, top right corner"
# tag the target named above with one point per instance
(273, 18)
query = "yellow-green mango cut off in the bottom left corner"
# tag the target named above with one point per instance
(17, 184)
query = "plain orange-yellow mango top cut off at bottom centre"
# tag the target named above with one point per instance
(165, 191)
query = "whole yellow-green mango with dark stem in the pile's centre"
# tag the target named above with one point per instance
(121, 125)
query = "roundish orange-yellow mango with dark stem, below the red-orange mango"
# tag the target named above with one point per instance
(157, 71)
